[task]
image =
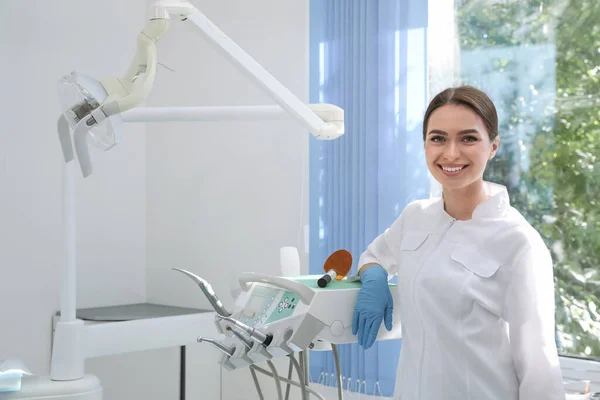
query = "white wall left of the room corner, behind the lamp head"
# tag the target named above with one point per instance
(39, 42)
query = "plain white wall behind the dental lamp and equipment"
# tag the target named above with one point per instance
(214, 198)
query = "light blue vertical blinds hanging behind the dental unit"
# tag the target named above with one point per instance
(368, 57)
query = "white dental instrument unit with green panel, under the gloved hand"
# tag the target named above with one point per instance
(280, 316)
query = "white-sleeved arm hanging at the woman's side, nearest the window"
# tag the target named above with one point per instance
(529, 312)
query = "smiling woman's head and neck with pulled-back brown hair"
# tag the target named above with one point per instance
(460, 134)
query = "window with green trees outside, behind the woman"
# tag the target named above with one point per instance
(540, 62)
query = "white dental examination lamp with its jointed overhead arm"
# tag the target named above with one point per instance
(96, 110)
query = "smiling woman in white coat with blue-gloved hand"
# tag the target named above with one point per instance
(475, 279)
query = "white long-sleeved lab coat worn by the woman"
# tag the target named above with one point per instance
(476, 303)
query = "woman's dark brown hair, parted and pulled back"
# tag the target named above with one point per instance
(471, 98)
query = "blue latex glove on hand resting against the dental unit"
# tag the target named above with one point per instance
(373, 305)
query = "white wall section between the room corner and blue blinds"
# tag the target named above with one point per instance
(223, 197)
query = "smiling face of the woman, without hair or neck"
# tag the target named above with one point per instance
(457, 146)
